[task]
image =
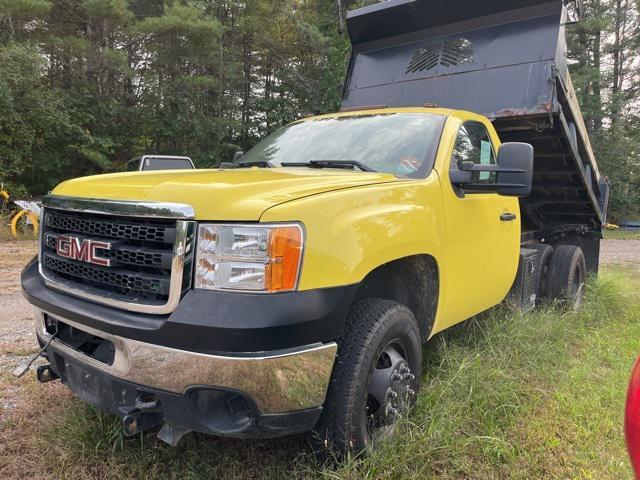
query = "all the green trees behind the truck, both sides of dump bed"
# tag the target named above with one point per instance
(87, 84)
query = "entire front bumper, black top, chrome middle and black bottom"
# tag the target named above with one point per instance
(222, 363)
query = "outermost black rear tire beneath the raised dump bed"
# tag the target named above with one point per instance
(567, 274)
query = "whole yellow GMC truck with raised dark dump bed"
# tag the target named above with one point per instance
(292, 290)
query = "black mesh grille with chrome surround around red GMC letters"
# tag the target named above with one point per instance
(150, 257)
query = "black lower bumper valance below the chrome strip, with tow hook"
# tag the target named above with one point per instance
(208, 410)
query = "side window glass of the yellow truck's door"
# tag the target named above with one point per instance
(473, 144)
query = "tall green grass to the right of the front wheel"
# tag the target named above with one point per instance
(504, 395)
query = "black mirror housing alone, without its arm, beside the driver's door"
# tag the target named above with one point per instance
(515, 174)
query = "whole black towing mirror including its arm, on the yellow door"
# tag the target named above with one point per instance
(514, 172)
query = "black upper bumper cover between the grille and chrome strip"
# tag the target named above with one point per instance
(211, 321)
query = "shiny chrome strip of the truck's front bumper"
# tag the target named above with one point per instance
(278, 383)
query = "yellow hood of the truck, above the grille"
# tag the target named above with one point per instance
(220, 195)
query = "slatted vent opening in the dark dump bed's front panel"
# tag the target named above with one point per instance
(448, 54)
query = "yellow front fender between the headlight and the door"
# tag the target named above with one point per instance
(351, 232)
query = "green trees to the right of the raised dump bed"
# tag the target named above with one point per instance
(606, 73)
